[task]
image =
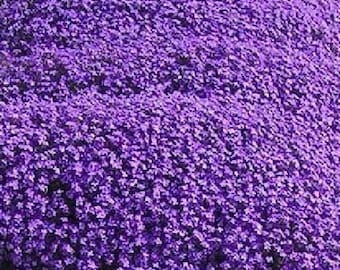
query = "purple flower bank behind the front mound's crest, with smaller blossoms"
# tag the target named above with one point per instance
(279, 51)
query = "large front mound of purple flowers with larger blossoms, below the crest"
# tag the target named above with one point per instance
(163, 183)
